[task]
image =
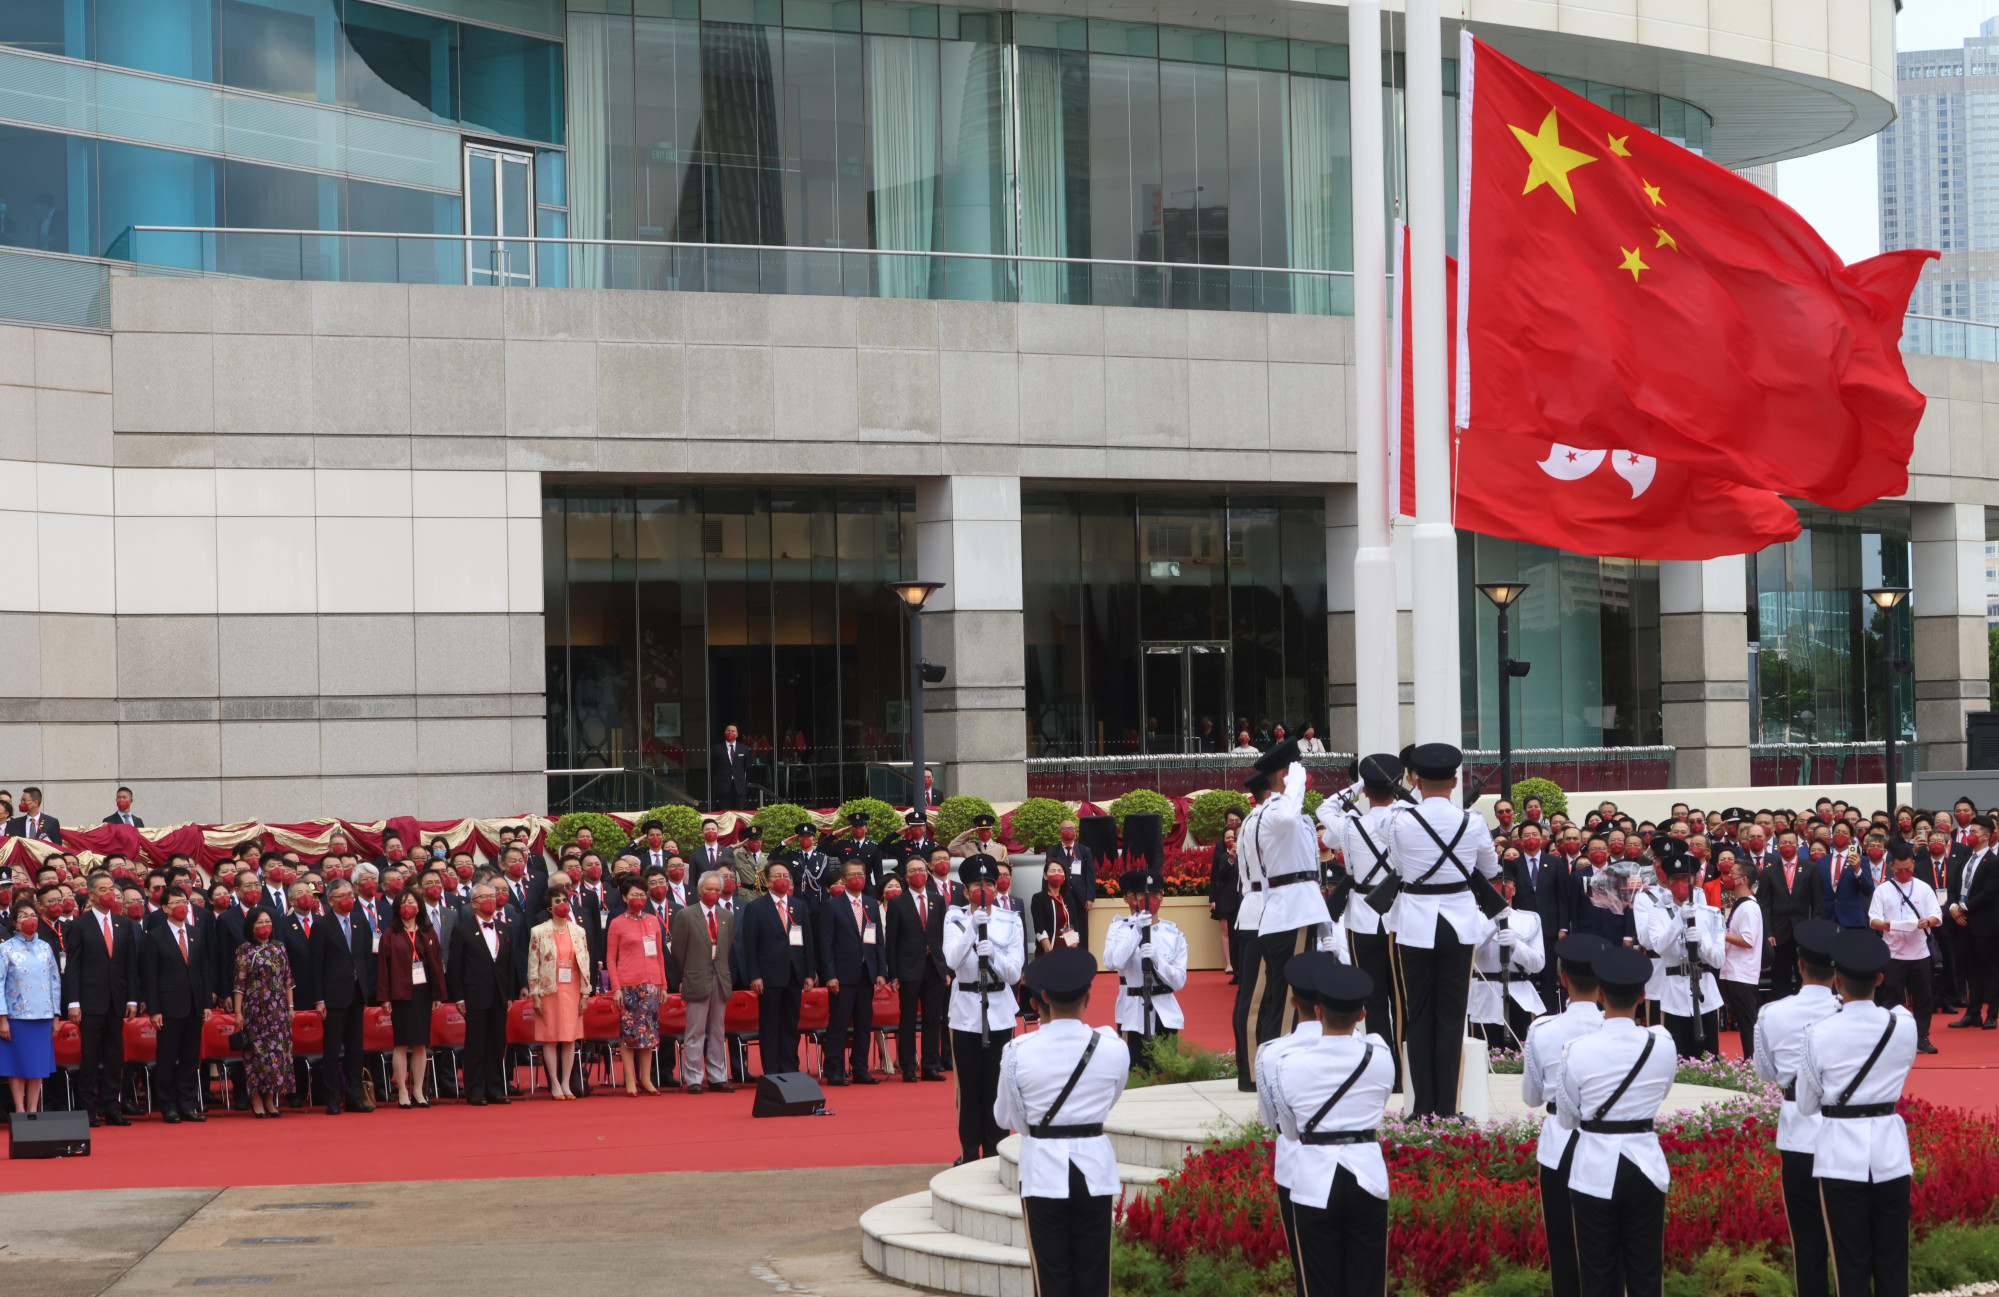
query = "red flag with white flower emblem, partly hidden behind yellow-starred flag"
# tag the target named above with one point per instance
(1614, 503)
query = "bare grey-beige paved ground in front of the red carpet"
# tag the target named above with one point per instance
(721, 1234)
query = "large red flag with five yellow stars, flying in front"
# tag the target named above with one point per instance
(1622, 293)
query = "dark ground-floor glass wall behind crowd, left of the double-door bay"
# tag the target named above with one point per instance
(675, 613)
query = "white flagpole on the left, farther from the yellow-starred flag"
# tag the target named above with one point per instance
(1376, 674)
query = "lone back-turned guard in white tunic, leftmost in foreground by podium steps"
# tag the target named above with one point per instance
(1056, 1086)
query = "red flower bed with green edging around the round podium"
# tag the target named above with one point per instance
(1466, 1206)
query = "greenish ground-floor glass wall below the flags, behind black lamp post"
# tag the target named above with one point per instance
(1590, 627)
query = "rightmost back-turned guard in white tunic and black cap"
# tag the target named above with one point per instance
(1852, 1074)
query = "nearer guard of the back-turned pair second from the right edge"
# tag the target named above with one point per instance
(1612, 1086)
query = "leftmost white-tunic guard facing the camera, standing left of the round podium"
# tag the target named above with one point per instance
(987, 948)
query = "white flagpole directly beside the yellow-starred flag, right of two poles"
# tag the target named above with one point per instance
(1438, 716)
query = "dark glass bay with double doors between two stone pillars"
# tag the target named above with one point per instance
(1170, 623)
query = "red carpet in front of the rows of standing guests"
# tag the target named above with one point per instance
(609, 1134)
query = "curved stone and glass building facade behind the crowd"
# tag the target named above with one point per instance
(333, 491)
